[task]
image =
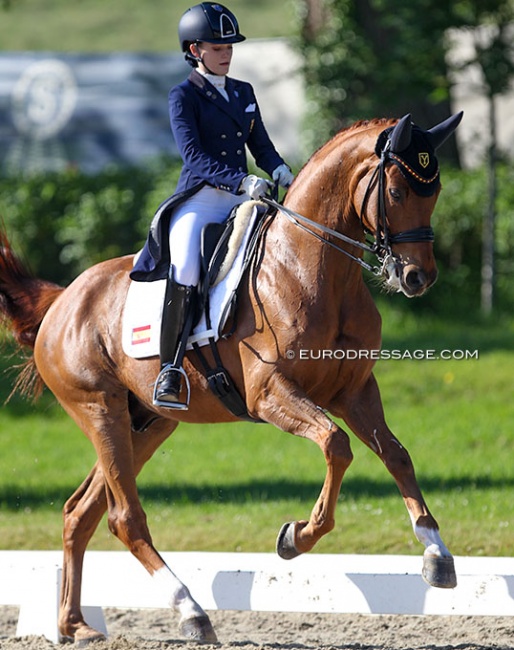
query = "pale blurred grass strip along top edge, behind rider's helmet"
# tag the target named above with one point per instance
(128, 25)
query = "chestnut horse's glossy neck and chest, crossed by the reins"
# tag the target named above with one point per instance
(303, 285)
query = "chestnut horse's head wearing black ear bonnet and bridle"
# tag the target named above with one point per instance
(398, 198)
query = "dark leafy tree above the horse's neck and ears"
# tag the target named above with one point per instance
(375, 58)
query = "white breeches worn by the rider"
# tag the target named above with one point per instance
(208, 205)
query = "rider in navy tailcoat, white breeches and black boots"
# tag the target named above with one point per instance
(212, 118)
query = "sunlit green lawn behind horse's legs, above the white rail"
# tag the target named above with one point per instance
(229, 488)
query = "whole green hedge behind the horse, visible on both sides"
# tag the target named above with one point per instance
(64, 223)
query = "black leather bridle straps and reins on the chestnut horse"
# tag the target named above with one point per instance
(383, 240)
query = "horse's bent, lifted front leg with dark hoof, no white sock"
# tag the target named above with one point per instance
(285, 406)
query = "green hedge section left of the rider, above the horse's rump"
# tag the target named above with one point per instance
(65, 222)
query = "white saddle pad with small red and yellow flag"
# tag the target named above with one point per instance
(141, 327)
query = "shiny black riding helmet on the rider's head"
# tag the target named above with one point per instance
(208, 21)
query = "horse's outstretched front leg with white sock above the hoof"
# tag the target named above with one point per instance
(364, 414)
